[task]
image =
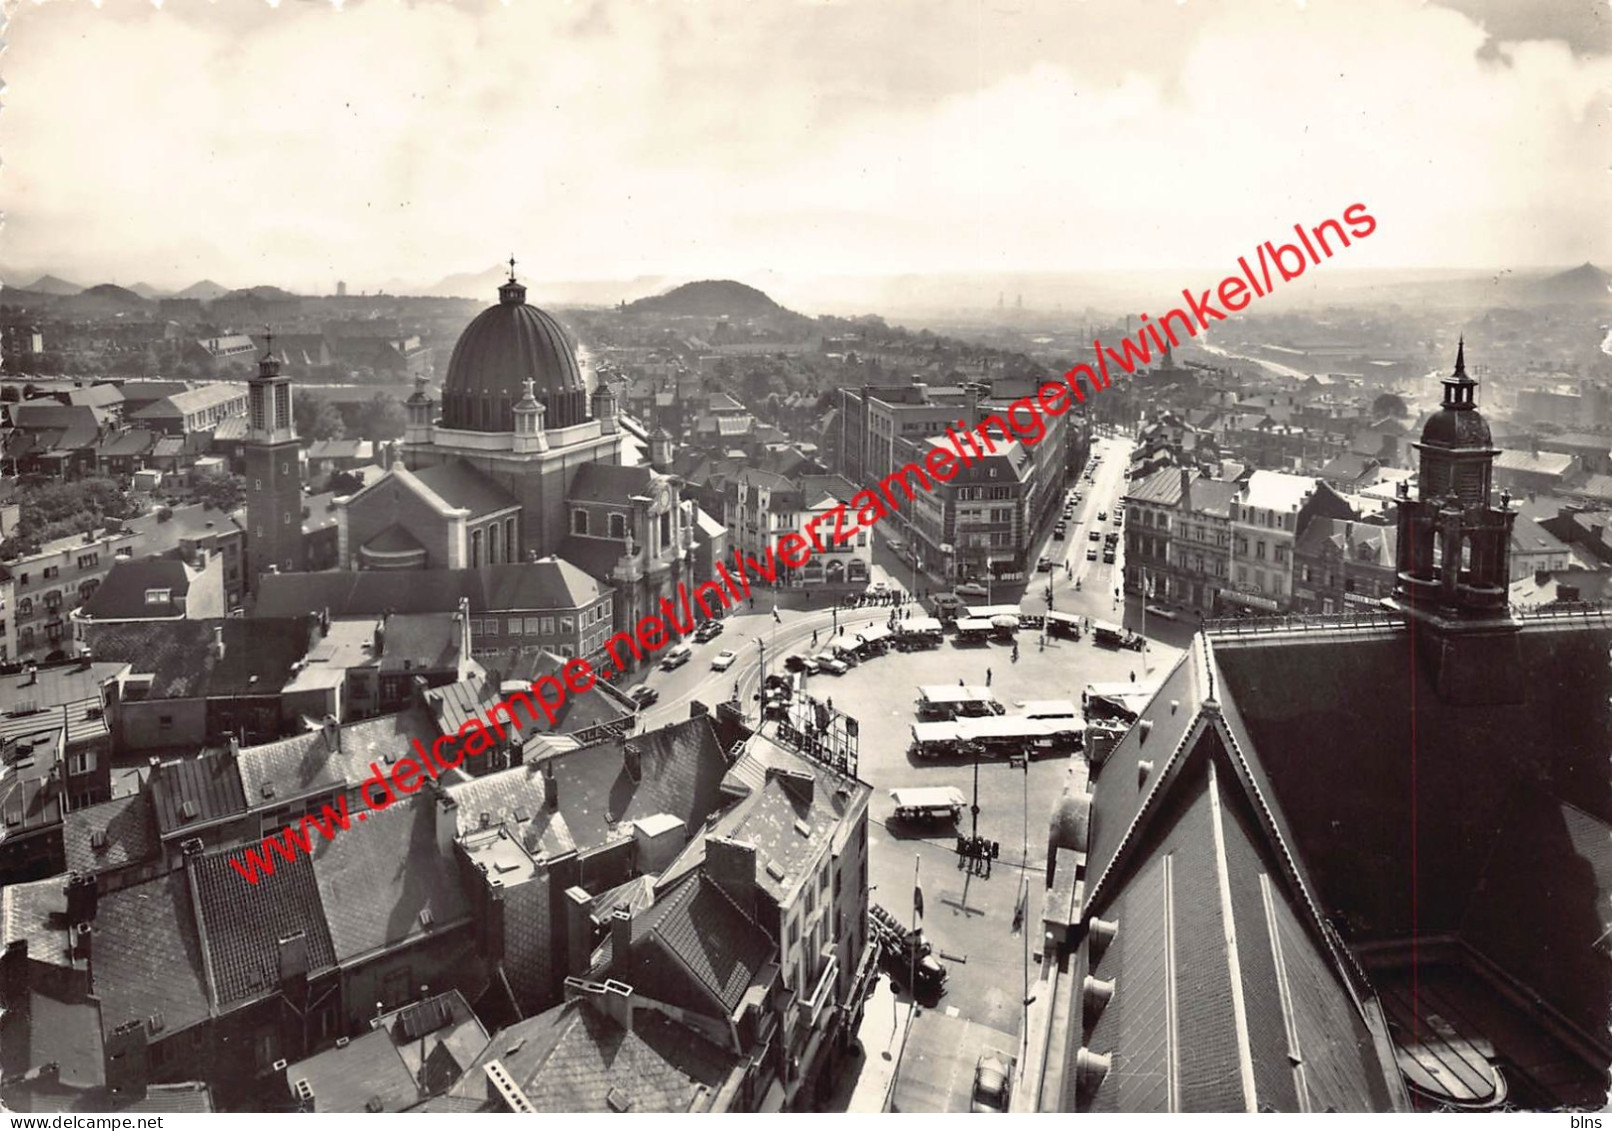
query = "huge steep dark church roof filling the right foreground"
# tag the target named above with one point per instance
(1300, 747)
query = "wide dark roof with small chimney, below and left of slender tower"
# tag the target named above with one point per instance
(259, 655)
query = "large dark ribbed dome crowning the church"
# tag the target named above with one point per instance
(499, 352)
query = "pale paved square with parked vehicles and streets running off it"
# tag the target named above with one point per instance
(970, 918)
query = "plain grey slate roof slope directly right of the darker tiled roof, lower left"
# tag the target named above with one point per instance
(376, 882)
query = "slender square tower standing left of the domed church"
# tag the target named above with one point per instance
(273, 473)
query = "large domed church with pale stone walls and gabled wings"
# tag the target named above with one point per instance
(520, 462)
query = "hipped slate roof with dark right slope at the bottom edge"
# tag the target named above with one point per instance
(571, 1059)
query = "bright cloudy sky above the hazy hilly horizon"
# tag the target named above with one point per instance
(301, 144)
